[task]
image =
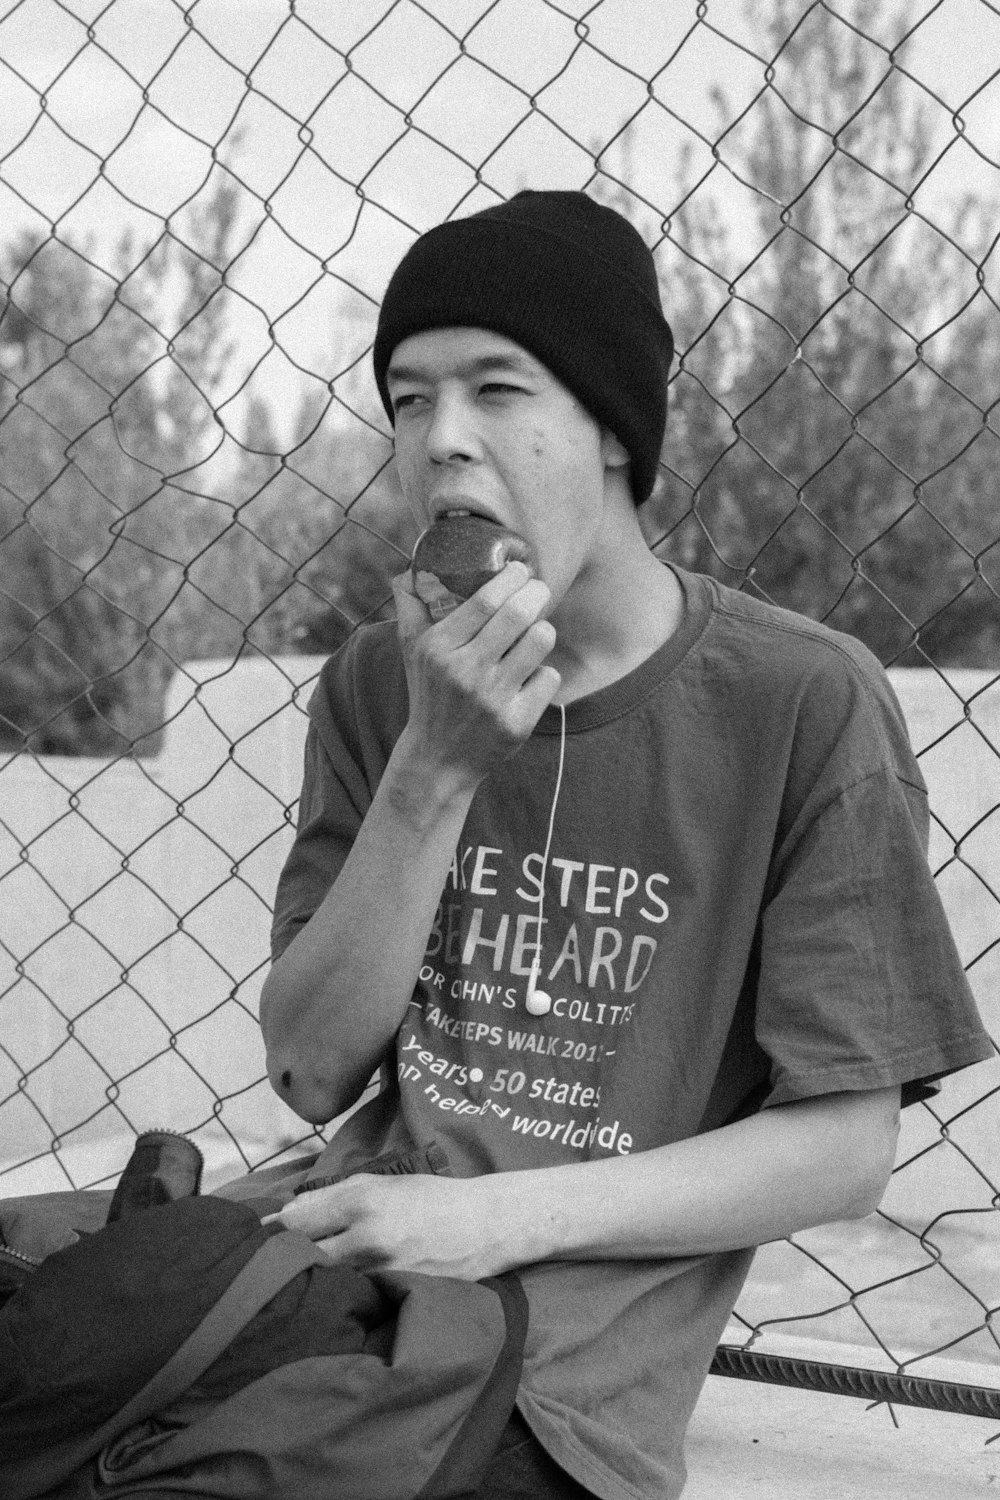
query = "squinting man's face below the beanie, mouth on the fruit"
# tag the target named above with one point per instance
(484, 427)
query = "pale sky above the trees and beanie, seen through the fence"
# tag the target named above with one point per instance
(356, 124)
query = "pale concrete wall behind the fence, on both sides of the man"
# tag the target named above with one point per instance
(134, 920)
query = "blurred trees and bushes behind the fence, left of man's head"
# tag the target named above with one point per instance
(136, 532)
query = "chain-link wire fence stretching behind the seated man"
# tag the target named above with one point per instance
(202, 208)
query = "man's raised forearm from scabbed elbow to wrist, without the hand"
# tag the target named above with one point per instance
(338, 995)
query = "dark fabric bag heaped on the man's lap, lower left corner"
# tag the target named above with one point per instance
(179, 1348)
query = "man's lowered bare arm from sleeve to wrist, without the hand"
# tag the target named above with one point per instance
(746, 1184)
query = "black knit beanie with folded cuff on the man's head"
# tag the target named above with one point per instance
(570, 281)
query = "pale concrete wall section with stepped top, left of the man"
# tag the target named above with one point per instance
(134, 929)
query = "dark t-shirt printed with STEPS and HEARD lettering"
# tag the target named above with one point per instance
(738, 913)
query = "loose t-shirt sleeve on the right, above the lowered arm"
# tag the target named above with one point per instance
(861, 985)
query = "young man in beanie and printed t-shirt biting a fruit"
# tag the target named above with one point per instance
(690, 821)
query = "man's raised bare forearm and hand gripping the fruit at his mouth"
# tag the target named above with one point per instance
(478, 685)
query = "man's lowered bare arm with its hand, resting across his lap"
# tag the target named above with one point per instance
(759, 1180)
